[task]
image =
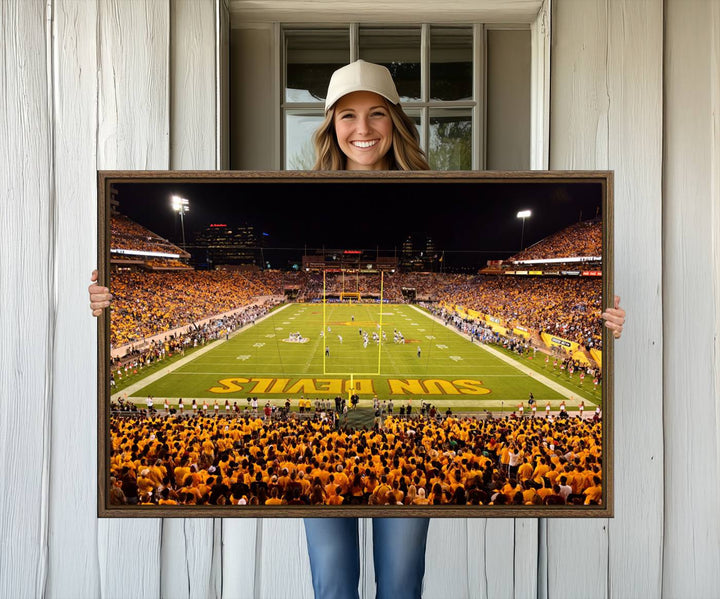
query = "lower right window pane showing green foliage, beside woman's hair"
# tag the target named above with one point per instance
(450, 145)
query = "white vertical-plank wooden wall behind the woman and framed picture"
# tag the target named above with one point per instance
(132, 84)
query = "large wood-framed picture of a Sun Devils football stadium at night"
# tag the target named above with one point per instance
(156, 286)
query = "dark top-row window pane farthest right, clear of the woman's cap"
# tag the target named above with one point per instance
(451, 72)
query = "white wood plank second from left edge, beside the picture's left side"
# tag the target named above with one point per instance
(73, 564)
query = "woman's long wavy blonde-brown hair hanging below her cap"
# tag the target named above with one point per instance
(405, 154)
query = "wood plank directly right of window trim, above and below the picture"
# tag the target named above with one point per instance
(578, 140)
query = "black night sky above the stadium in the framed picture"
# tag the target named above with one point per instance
(474, 218)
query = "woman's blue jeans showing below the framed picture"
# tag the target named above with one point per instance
(398, 554)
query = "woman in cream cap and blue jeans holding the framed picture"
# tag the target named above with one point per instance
(365, 128)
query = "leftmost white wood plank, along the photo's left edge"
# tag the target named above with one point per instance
(26, 305)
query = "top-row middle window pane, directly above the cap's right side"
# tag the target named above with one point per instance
(398, 50)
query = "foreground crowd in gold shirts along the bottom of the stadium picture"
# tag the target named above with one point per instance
(221, 459)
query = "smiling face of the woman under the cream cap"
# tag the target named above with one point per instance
(364, 130)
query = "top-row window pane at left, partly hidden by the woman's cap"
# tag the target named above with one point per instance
(311, 57)
